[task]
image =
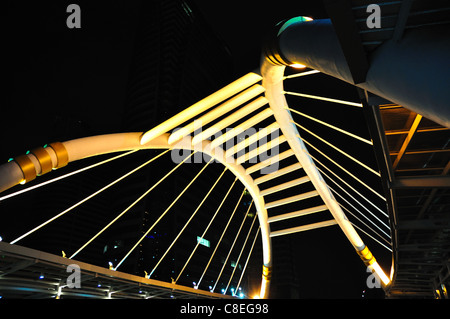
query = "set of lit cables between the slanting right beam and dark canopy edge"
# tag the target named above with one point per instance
(361, 200)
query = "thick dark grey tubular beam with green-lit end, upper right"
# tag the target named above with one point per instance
(411, 70)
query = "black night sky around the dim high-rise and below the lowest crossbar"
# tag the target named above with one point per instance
(55, 72)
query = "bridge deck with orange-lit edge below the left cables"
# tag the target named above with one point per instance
(25, 266)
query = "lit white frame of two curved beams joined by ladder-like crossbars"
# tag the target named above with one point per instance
(224, 101)
